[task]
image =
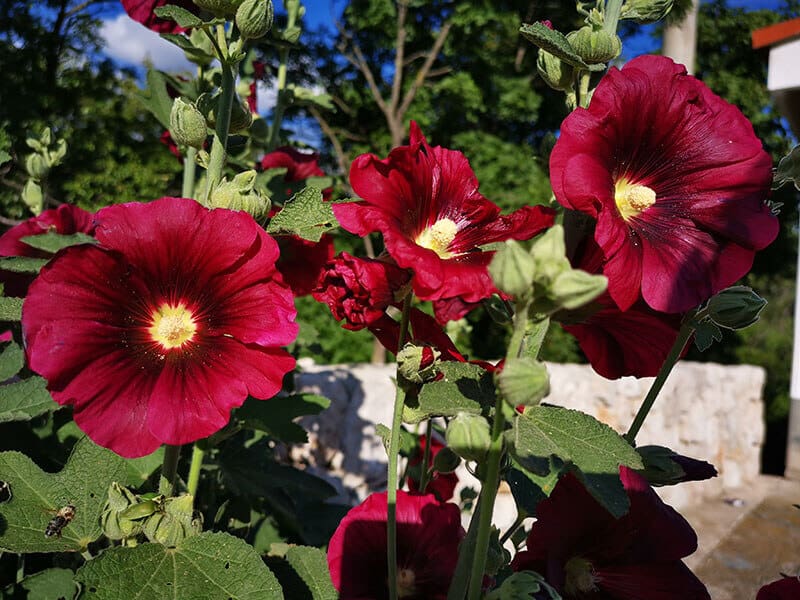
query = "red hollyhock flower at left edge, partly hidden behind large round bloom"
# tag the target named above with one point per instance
(66, 219)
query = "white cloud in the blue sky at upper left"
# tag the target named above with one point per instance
(132, 43)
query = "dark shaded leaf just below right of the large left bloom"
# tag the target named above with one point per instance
(276, 416)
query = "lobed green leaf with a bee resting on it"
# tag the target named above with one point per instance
(37, 495)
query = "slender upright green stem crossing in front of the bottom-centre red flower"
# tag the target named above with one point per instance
(394, 448)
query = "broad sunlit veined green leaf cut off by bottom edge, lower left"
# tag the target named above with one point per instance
(212, 566)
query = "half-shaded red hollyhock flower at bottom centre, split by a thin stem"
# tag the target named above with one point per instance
(428, 534)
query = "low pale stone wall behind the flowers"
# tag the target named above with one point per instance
(706, 411)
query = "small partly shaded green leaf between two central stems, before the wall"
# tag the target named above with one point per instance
(464, 388)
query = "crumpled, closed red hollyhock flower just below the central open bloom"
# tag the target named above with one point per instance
(359, 290)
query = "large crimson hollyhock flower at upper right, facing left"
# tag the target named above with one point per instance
(678, 192)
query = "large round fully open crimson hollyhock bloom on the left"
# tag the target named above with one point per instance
(157, 333)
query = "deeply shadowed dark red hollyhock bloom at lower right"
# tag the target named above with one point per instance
(584, 552)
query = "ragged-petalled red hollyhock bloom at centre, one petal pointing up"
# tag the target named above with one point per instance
(425, 202)
